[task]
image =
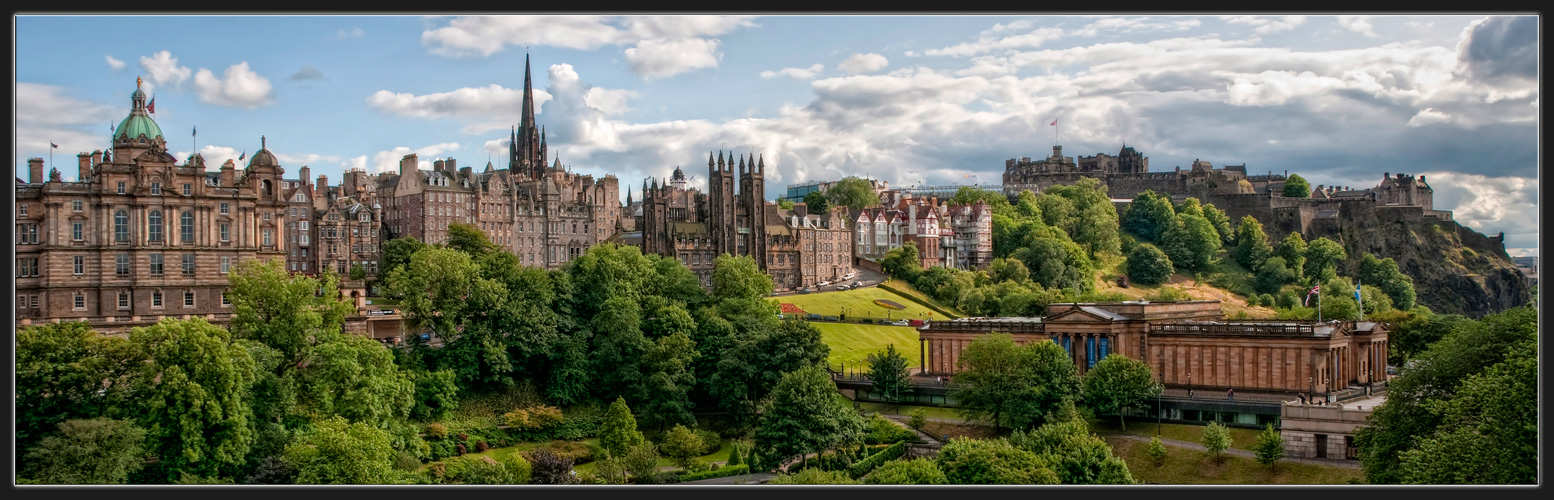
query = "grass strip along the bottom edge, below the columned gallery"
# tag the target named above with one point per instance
(1185, 467)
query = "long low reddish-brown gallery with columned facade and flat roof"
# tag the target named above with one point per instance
(1188, 345)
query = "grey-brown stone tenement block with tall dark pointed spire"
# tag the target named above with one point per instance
(543, 214)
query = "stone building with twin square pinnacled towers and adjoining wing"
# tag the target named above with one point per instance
(798, 249)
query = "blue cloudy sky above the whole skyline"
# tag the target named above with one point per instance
(911, 100)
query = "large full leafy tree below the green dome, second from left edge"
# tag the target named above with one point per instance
(193, 397)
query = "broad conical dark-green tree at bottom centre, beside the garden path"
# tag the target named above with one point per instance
(804, 417)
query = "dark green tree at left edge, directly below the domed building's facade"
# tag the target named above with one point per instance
(69, 372)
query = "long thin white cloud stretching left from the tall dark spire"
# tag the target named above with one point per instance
(470, 102)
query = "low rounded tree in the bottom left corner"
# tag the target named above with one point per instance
(96, 451)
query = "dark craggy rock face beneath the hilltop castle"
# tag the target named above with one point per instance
(1455, 269)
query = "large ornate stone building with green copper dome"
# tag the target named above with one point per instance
(142, 237)
